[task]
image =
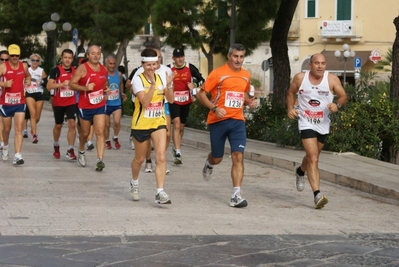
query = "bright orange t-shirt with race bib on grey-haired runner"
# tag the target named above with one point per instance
(227, 89)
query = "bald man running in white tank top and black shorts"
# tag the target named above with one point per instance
(315, 89)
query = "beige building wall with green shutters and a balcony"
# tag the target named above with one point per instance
(372, 29)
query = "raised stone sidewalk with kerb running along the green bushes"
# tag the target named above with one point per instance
(345, 169)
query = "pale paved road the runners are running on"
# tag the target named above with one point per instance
(56, 213)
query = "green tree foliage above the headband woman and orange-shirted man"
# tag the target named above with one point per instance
(205, 25)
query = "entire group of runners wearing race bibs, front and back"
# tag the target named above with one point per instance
(161, 95)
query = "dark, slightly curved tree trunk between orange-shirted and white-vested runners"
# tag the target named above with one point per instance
(278, 44)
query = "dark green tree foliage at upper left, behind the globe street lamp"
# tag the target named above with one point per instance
(110, 24)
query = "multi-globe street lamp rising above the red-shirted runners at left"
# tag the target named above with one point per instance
(50, 28)
